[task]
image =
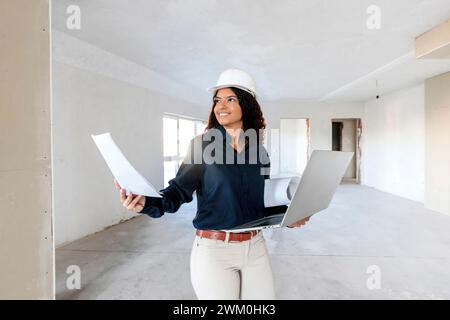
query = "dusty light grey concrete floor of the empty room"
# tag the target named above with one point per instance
(148, 258)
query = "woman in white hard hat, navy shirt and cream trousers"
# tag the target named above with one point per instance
(224, 265)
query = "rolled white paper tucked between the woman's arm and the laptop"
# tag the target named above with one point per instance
(279, 191)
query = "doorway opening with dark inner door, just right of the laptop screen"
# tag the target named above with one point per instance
(346, 136)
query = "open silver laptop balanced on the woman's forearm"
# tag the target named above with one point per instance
(322, 175)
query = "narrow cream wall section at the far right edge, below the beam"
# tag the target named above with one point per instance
(437, 161)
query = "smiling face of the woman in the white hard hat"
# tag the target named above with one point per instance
(227, 109)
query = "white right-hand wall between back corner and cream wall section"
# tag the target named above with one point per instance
(393, 143)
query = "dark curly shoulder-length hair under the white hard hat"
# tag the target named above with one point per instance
(252, 116)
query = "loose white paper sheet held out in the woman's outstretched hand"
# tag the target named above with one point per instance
(127, 176)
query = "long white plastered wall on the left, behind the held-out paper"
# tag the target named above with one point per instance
(85, 103)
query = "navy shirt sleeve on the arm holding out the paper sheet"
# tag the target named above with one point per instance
(180, 189)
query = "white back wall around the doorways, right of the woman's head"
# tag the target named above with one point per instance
(320, 115)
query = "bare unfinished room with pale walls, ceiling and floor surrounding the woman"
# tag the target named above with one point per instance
(353, 76)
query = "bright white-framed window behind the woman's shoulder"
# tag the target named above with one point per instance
(177, 133)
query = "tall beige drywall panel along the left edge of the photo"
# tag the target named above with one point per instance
(26, 248)
